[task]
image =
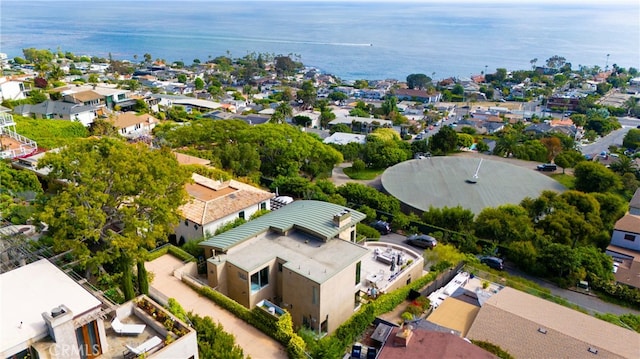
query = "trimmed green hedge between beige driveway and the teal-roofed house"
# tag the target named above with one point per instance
(280, 329)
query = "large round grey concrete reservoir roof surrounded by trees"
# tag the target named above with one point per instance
(450, 182)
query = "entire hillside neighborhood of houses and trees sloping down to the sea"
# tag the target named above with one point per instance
(131, 190)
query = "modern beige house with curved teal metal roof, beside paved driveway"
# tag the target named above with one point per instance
(302, 258)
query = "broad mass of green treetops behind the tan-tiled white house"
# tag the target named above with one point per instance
(269, 150)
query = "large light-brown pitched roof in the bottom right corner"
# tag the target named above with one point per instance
(531, 327)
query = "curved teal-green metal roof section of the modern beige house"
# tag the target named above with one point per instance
(313, 217)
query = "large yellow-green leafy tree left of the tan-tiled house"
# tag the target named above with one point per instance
(119, 200)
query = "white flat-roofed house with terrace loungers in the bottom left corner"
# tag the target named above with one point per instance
(44, 313)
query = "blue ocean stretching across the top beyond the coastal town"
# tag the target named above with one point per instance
(353, 40)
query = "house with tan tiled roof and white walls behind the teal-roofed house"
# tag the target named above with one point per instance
(215, 203)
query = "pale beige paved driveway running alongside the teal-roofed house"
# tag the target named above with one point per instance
(253, 342)
